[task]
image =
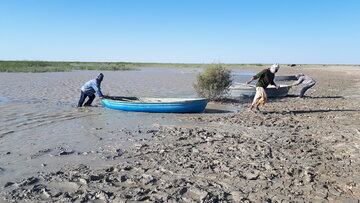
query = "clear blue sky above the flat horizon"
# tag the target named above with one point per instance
(182, 31)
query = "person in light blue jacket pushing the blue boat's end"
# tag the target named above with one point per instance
(89, 89)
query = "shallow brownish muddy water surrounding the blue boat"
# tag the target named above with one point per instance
(41, 129)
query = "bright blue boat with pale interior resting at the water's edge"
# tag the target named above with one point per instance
(156, 105)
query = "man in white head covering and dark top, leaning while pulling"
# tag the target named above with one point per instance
(265, 77)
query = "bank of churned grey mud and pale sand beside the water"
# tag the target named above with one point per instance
(300, 150)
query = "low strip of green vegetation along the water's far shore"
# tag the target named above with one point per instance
(47, 66)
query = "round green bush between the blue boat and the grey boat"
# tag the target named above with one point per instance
(213, 83)
